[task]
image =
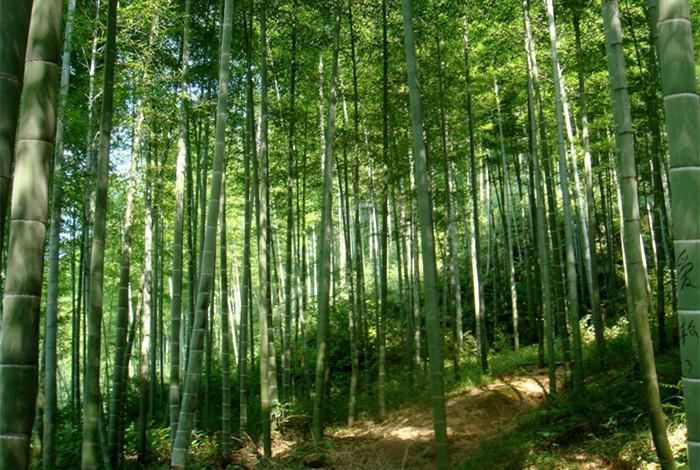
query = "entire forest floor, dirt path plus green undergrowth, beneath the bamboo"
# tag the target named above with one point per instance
(502, 420)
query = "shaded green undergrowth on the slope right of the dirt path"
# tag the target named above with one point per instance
(606, 427)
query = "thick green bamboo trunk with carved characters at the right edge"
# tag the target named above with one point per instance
(677, 64)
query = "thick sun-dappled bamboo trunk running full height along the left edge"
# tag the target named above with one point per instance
(22, 294)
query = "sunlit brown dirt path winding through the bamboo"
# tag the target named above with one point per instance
(404, 439)
